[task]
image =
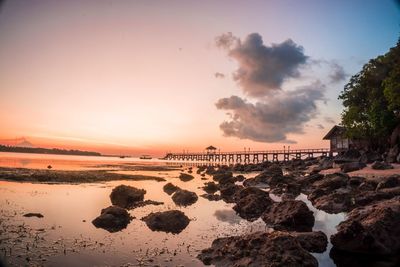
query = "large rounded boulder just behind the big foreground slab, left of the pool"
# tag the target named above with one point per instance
(290, 215)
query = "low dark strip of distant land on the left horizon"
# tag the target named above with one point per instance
(40, 150)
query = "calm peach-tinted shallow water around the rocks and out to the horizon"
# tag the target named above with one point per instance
(66, 237)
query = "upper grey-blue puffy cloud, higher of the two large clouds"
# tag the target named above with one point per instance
(262, 69)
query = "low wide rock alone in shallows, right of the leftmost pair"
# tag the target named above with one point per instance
(172, 221)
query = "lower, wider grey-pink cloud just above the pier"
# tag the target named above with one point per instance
(273, 119)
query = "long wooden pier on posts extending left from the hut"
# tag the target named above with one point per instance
(248, 156)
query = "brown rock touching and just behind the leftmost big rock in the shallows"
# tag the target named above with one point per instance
(125, 196)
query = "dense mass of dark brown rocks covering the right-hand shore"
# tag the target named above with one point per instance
(371, 227)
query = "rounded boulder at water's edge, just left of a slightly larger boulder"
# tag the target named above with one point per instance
(251, 203)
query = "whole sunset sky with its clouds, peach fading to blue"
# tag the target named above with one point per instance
(136, 77)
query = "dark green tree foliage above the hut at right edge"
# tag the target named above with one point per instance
(371, 99)
